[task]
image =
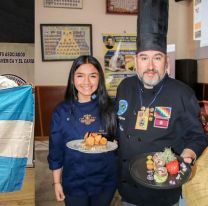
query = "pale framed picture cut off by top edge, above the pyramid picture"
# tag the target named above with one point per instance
(73, 4)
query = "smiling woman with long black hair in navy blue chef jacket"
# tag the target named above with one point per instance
(87, 179)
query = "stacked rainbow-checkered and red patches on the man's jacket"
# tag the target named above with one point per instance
(162, 116)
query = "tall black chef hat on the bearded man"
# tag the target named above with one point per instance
(152, 25)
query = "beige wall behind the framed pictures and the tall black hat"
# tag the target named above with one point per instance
(94, 12)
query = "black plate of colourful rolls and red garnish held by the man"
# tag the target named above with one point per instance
(160, 170)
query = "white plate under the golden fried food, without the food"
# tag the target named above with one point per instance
(75, 145)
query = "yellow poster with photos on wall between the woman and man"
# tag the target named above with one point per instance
(119, 59)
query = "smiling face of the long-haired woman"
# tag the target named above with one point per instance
(86, 79)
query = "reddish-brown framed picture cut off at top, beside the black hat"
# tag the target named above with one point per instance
(122, 7)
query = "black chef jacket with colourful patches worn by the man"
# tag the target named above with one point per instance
(175, 123)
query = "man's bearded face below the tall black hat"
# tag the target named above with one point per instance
(151, 67)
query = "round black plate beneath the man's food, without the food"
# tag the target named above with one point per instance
(138, 171)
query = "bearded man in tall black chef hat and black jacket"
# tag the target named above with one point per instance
(155, 111)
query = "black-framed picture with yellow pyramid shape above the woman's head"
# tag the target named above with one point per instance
(65, 42)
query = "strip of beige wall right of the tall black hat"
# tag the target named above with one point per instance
(181, 28)
